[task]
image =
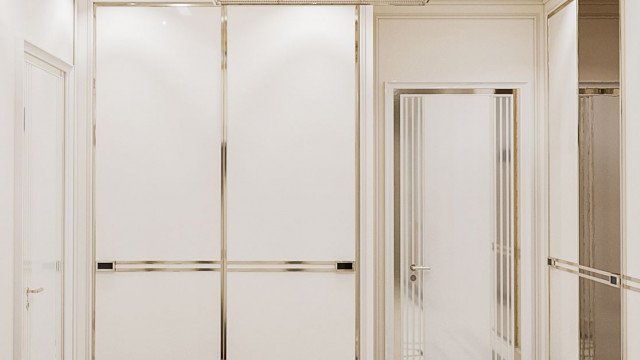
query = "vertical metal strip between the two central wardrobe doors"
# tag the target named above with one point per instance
(223, 188)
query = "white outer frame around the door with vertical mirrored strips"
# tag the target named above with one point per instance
(531, 250)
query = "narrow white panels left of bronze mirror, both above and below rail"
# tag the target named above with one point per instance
(563, 180)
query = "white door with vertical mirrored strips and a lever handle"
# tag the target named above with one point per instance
(454, 245)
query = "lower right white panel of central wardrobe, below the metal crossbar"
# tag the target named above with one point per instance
(291, 316)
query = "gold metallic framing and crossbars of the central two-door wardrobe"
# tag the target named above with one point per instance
(224, 264)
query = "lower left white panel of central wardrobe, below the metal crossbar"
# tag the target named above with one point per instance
(158, 316)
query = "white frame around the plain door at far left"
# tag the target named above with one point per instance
(24, 49)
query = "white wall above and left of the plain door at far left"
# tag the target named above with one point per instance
(47, 24)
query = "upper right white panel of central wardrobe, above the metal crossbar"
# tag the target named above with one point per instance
(291, 159)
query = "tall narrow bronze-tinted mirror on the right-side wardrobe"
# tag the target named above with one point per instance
(599, 159)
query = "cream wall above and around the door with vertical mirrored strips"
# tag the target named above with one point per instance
(468, 44)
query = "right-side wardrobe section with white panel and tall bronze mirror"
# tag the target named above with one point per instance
(584, 181)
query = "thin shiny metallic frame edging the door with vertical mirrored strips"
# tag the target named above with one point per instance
(397, 93)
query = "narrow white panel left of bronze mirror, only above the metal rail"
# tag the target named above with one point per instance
(563, 134)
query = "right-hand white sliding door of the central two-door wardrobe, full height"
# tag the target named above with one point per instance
(291, 175)
